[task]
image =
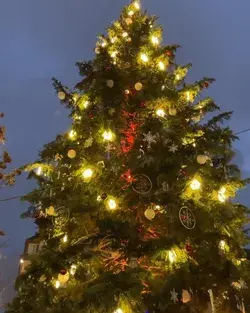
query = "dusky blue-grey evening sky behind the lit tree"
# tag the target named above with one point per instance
(41, 39)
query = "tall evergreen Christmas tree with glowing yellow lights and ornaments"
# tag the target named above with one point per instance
(135, 203)
